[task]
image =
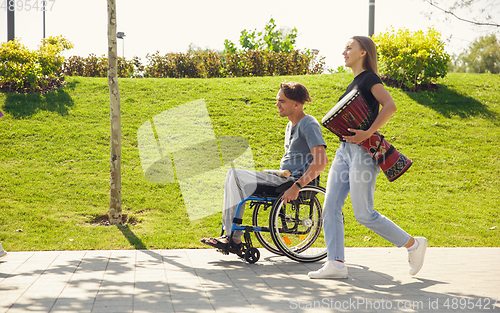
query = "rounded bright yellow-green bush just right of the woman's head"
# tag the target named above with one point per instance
(412, 58)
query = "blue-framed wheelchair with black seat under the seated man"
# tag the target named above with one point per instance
(290, 230)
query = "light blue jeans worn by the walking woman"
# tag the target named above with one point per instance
(354, 170)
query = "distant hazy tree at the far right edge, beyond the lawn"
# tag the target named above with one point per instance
(483, 56)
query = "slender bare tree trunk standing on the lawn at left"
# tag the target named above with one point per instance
(115, 201)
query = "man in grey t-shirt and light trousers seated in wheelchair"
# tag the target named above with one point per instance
(305, 157)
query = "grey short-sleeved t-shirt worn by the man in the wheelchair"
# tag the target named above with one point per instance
(299, 140)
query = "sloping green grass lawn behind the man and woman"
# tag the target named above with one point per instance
(54, 160)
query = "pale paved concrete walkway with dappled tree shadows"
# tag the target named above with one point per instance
(452, 280)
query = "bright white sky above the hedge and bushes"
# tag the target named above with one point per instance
(168, 26)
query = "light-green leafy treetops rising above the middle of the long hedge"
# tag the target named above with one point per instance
(270, 39)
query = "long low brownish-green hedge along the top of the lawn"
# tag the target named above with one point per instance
(202, 65)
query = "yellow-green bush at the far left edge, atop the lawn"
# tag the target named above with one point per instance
(25, 70)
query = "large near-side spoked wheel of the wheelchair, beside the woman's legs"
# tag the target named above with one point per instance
(297, 226)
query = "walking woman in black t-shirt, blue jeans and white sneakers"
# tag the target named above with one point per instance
(354, 170)
